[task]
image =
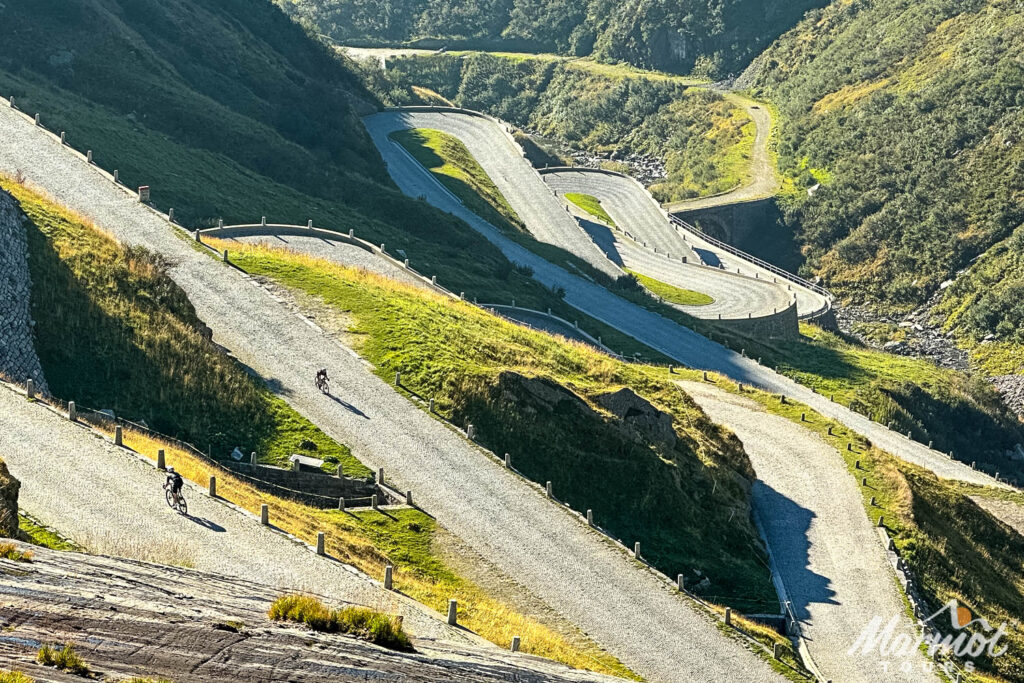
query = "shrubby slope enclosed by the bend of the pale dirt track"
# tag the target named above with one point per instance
(704, 141)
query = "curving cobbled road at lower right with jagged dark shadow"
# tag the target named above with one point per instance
(827, 551)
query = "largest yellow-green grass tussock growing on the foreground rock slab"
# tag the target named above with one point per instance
(364, 623)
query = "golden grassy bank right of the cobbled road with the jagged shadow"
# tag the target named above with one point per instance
(955, 548)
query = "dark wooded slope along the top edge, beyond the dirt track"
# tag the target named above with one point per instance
(712, 38)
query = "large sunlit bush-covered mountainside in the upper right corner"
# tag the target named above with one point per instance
(909, 116)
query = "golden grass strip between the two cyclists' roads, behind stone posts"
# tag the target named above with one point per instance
(403, 538)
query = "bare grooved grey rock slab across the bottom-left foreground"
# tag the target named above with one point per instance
(133, 619)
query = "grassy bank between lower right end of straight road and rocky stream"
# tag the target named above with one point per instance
(956, 411)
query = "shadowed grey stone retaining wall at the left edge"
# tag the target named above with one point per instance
(18, 352)
